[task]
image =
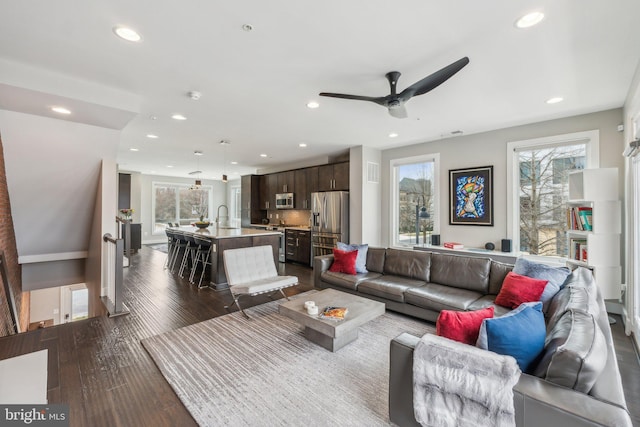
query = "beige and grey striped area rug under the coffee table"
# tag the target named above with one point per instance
(263, 372)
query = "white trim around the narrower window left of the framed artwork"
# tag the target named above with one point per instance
(394, 213)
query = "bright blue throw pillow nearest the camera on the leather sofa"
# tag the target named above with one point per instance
(519, 333)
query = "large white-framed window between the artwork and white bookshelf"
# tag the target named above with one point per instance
(539, 191)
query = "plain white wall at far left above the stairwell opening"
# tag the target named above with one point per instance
(53, 175)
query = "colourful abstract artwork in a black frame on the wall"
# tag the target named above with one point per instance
(471, 196)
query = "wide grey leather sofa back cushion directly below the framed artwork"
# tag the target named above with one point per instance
(461, 272)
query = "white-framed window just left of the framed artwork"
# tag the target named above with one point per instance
(415, 200)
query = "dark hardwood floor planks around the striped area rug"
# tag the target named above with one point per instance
(99, 368)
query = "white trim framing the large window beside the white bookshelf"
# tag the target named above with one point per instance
(592, 140)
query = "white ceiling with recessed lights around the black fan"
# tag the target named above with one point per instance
(255, 85)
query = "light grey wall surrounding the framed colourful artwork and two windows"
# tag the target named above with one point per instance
(489, 149)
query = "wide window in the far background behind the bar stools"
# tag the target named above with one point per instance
(179, 203)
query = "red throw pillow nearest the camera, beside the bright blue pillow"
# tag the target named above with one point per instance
(462, 326)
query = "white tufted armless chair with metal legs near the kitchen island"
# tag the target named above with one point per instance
(252, 271)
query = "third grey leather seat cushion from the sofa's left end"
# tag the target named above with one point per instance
(438, 297)
